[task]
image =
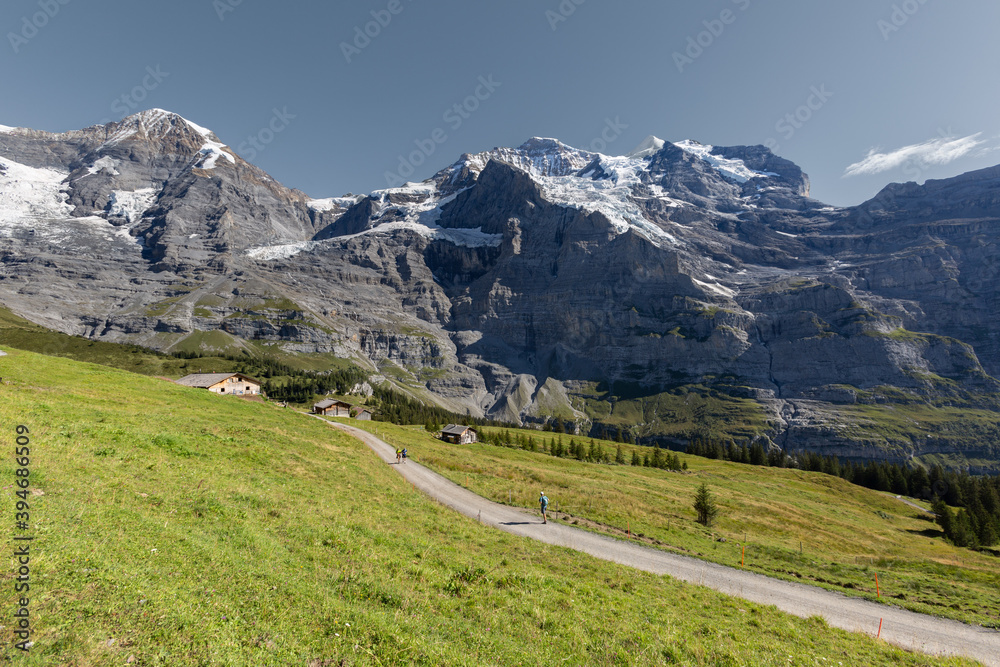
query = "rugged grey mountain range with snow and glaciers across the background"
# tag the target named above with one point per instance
(520, 282)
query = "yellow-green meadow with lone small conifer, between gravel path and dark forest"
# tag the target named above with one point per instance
(796, 525)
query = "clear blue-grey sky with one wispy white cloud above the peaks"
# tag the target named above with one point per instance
(344, 97)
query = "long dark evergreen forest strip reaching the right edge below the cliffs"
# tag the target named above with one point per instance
(975, 524)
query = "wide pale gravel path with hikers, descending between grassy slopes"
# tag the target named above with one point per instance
(910, 630)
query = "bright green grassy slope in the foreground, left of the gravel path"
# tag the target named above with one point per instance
(175, 527)
